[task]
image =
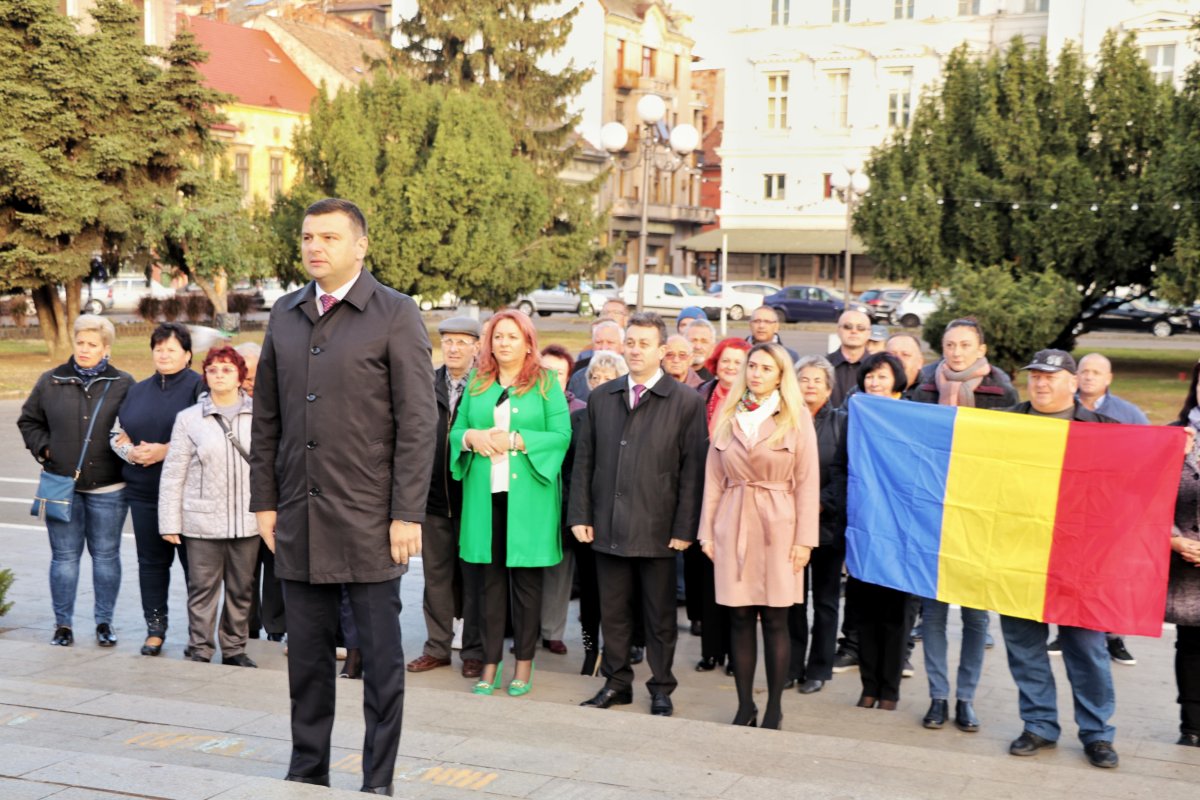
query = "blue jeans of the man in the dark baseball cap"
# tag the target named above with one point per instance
(1087, 658)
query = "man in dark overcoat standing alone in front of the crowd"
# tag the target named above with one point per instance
(343, 450)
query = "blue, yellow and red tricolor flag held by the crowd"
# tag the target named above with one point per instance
(1029, 516)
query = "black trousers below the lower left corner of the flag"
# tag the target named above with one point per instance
(881, 618)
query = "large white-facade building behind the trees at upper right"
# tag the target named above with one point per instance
(815, 85)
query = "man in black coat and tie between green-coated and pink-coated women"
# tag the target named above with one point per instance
(637, 489)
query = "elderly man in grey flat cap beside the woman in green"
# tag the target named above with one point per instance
(445, 598)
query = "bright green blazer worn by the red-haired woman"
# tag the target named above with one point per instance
(535, 477)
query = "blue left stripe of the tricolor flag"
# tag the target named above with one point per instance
(899, 459)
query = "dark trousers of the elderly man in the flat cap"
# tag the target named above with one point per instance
(445, 597)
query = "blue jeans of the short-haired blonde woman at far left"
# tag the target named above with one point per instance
(97, 520)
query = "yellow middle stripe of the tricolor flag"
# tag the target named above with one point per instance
(999, 514)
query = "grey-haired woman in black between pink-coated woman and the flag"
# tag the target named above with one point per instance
(825, 566)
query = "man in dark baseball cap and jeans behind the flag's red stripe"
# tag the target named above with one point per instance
(1053, 386)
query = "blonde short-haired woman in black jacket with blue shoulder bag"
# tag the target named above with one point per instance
(67, 401)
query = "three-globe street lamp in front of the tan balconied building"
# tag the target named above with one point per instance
(668, 157)
